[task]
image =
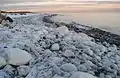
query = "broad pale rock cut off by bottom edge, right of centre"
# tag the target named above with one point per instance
(82, 75)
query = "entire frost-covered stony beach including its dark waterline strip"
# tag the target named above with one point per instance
(55, 49)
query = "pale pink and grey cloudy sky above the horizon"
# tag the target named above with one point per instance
(56, 5)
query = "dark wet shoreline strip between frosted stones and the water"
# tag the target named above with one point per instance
(99, 34)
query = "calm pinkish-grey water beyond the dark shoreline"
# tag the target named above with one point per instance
(109, 21)
